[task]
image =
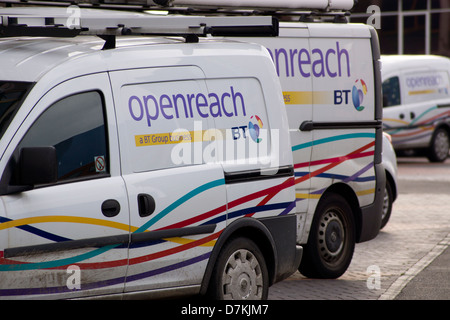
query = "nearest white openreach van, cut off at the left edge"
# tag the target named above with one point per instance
(154, 166)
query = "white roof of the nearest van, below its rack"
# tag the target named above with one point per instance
(28, 59)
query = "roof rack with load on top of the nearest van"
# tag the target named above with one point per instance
(61, 22)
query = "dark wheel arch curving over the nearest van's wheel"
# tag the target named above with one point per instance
(249, 228)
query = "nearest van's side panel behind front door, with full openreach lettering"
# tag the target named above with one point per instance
(205, 149)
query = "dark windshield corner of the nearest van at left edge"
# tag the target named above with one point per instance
(11, 96)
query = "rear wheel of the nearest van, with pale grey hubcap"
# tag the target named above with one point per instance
(240, 272)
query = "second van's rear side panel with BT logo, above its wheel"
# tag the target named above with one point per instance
(344, 111)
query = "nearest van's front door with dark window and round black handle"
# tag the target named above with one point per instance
(67, 237)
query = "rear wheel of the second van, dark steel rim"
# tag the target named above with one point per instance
(331, 242)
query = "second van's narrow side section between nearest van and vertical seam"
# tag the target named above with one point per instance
(291, 56)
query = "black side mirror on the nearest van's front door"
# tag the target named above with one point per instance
(37, 165)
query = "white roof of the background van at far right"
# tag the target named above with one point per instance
(393, 63)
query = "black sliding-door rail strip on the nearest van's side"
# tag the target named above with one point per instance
(258, 174)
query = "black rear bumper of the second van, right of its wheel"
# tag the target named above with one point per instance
(371, 215)
